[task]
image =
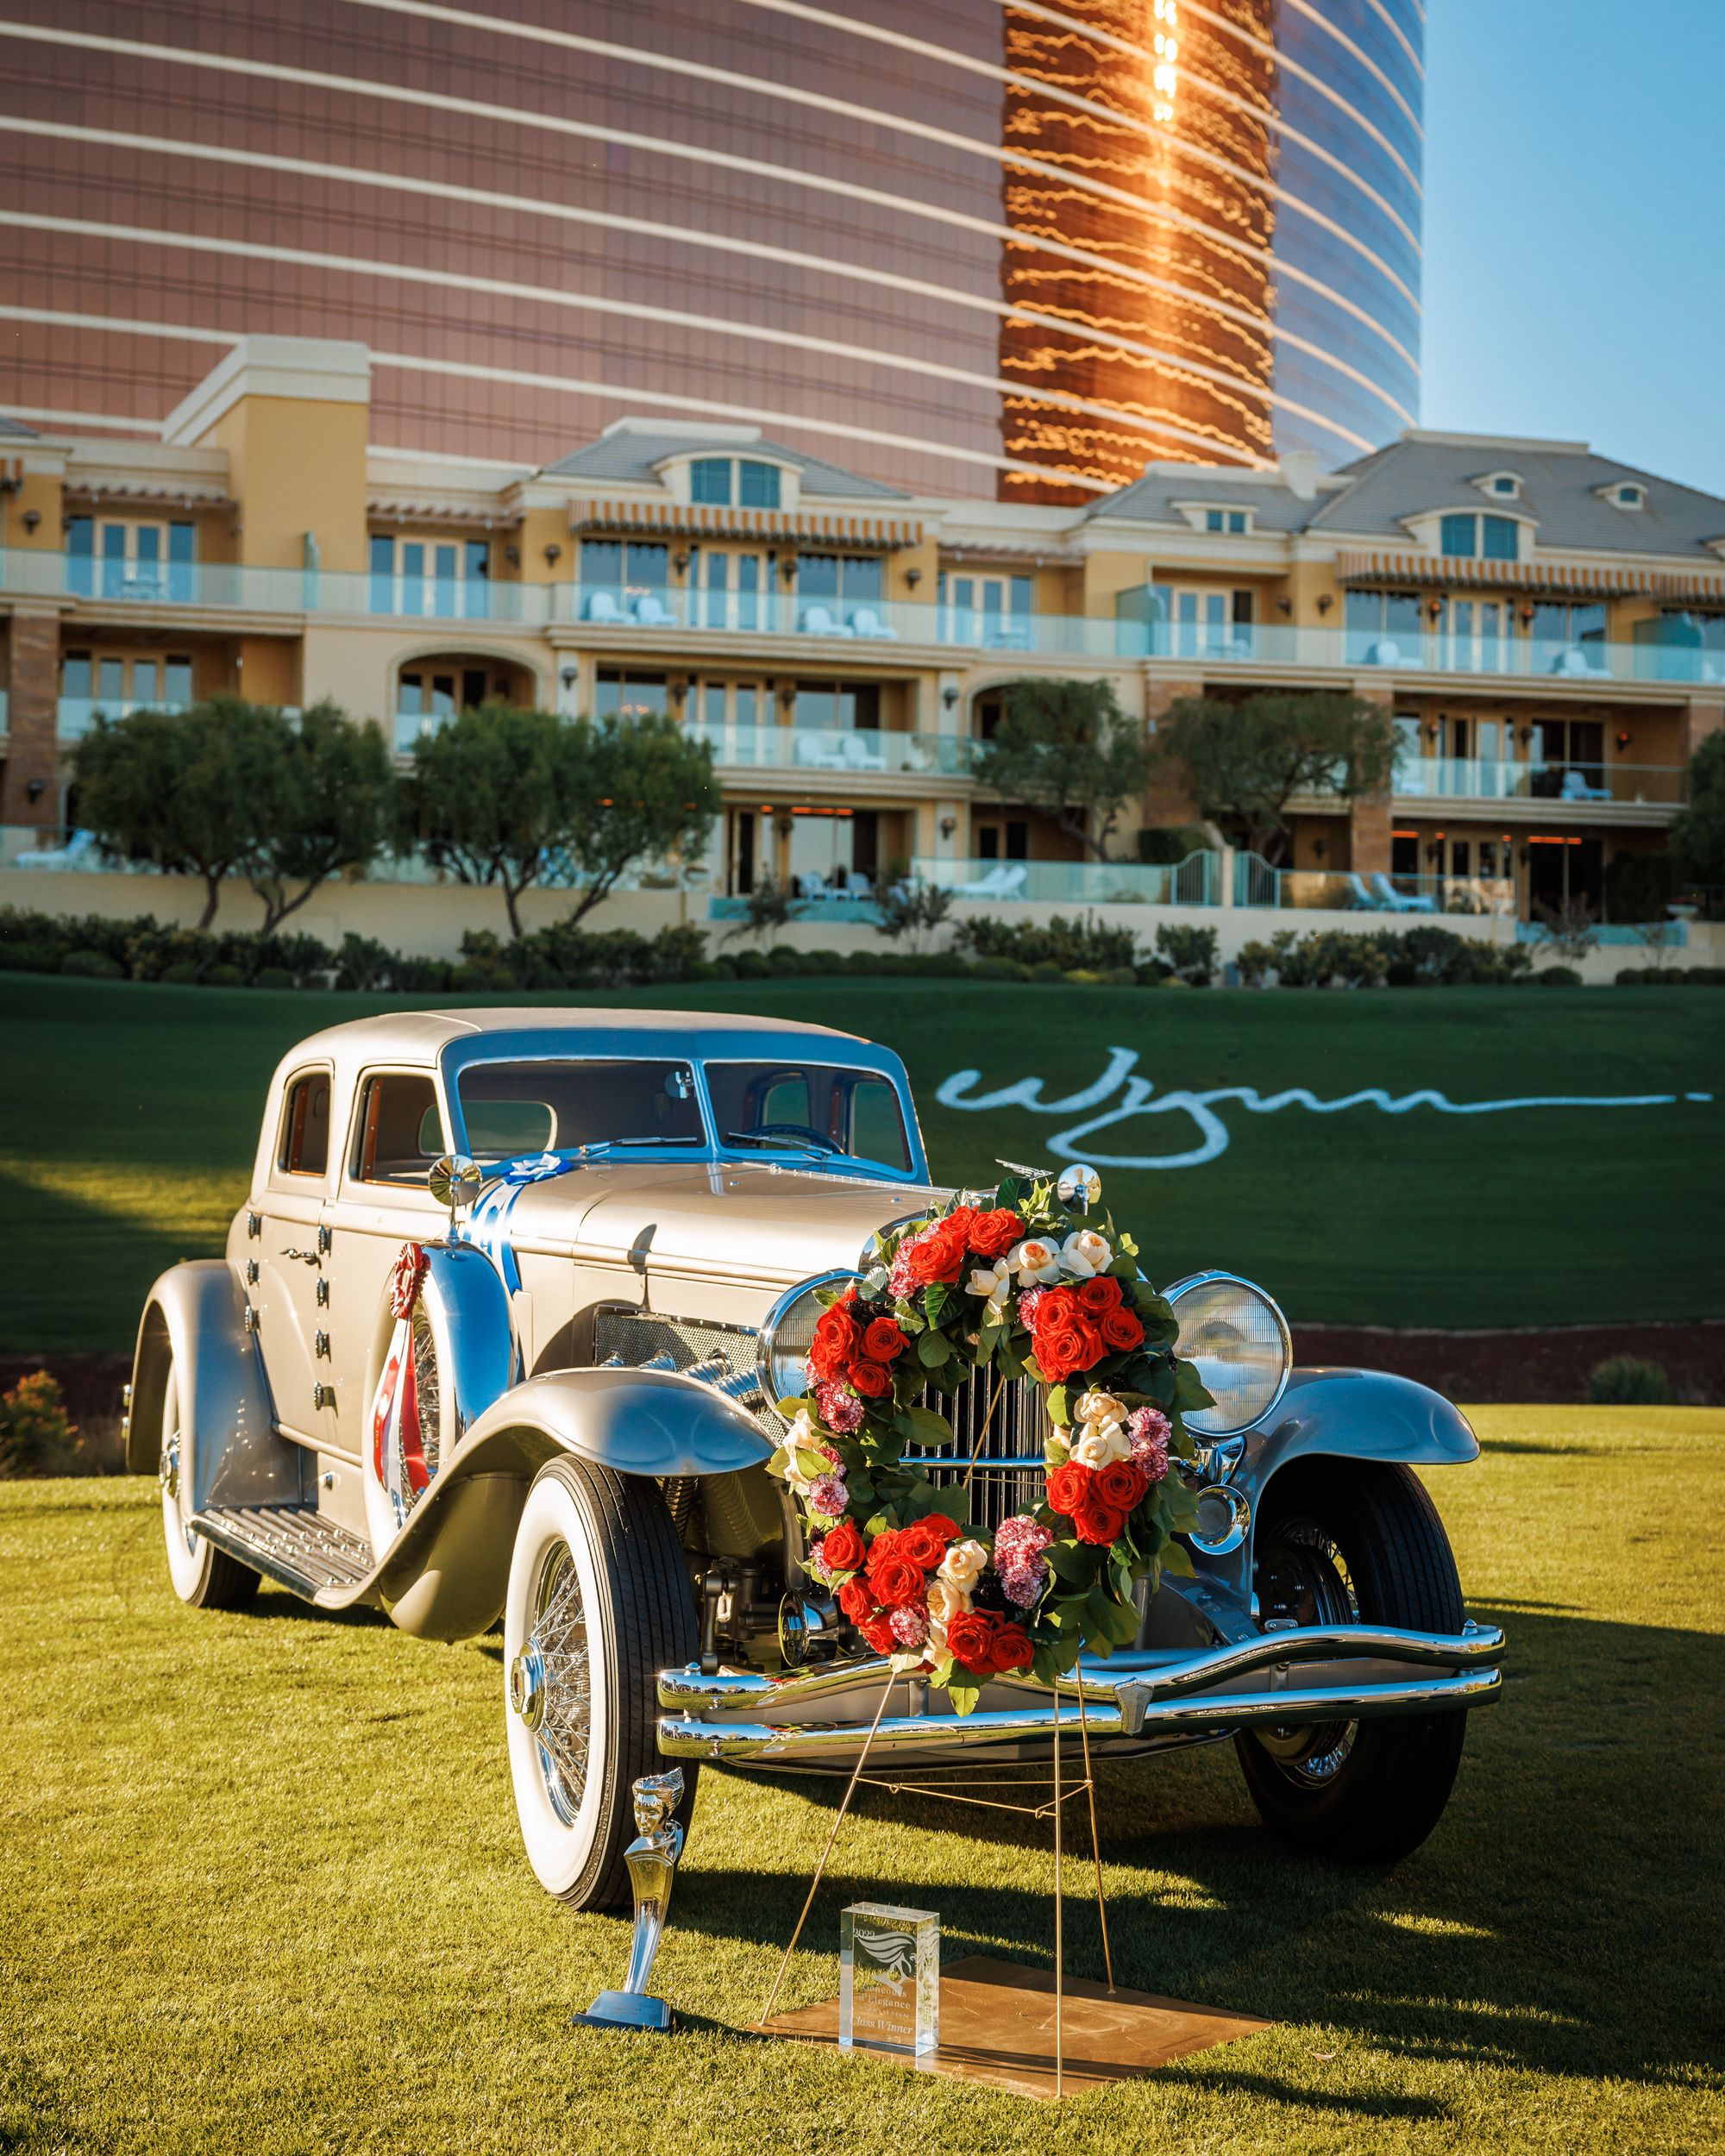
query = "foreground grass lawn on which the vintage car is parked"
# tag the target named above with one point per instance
(264, 1890)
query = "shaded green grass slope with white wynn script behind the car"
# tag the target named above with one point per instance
(133, 1116)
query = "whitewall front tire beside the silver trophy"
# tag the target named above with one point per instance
(598, 1603)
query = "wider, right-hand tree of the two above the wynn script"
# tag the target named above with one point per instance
(1247, 760)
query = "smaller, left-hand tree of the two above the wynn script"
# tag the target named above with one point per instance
(1071, 751)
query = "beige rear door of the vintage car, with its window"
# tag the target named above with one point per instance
(292, 1290)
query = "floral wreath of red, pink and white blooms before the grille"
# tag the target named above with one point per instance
(1019, 1286)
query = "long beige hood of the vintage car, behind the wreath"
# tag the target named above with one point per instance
(717, 1219)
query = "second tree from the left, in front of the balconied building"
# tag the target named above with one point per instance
(335, 805)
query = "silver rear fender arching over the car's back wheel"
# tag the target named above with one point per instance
(195, 1316)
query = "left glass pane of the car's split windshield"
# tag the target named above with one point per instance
(514, 1109)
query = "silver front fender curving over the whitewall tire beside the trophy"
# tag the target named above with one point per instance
(445, 1575)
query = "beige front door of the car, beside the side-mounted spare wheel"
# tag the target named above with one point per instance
(396, 1135)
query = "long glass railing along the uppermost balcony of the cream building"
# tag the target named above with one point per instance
(861, 624)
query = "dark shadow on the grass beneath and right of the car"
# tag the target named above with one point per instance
(1562, 1920)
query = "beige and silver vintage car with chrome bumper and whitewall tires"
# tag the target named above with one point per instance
(497, 1342)
